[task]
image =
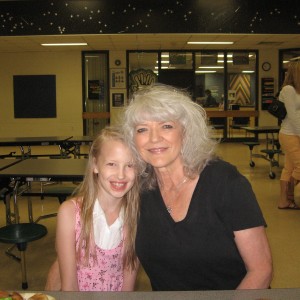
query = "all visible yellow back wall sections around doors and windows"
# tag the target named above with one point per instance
(67, 68)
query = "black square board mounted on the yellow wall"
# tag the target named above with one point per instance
(34, 96)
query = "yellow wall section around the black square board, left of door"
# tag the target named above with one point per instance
(67, 68)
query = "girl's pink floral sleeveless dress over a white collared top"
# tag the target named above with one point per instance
(103, 274)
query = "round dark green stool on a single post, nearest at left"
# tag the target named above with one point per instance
(21, 234)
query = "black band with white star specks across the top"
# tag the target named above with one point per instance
(154, 16)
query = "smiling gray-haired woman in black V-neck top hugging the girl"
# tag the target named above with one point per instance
(200, 225)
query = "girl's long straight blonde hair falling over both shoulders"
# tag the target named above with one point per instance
(87, 194)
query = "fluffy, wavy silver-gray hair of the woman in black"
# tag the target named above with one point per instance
(165, 103)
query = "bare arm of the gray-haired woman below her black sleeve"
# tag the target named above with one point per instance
(255, 250)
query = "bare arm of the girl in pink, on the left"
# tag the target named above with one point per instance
(65, 246)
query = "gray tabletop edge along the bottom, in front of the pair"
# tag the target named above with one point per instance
(270, 294)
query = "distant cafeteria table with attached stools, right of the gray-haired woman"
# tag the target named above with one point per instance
(272, 146)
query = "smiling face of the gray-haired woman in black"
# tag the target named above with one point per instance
(159, 143)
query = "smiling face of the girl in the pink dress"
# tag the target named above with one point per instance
(115, 169)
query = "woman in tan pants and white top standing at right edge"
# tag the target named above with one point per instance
(289, 137)
